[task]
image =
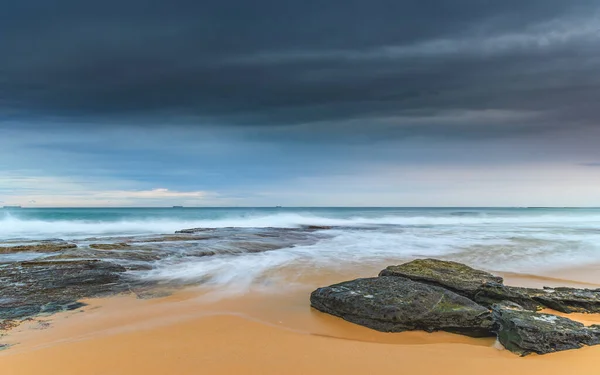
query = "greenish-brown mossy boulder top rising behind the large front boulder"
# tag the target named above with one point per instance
(457, 277)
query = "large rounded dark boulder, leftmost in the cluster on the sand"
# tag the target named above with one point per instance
(396, 304)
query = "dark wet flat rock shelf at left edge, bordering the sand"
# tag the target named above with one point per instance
(31, 288)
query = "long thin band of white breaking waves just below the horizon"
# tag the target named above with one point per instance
(14, 227)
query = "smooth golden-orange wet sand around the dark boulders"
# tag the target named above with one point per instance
(199, 331)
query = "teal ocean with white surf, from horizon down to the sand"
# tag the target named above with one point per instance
(245, 247)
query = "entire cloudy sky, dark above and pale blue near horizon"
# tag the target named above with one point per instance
(300, 103)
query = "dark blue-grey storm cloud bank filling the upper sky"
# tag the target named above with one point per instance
(270, 62)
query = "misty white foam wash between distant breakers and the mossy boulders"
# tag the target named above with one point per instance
(373, 250)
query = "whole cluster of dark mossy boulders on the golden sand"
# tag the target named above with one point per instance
(435, 295)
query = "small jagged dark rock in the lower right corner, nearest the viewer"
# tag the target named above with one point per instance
(524, 332)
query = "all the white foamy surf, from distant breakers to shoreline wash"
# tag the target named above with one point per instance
(516, 241)
